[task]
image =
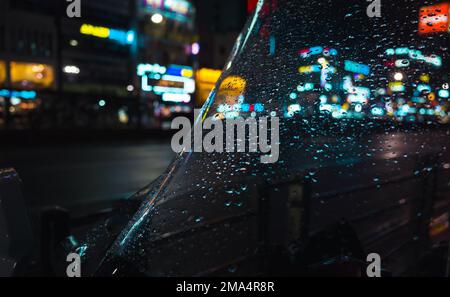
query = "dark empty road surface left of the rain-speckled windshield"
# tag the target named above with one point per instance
(86, 175)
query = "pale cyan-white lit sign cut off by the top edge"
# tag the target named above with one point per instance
(180, 10)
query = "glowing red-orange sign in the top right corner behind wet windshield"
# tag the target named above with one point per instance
(434, 19)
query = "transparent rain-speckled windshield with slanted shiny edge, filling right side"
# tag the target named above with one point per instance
(364, 165)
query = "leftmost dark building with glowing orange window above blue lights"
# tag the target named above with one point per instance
(27, 60)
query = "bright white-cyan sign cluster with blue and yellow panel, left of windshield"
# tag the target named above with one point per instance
(174, 83)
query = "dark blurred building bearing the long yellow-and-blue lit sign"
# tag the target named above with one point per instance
(97, 62)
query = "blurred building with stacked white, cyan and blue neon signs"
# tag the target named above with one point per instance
(168, 51)
